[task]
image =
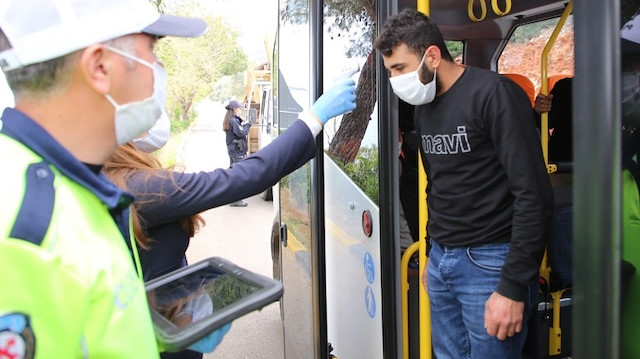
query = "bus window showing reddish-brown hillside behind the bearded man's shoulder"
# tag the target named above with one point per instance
(523, 51)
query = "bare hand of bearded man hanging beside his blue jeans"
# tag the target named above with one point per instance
(503, 316)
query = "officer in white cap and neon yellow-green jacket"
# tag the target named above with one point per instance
(85, 80)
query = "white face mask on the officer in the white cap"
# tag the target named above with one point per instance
(135, 118)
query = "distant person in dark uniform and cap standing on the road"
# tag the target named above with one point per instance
(236, 131)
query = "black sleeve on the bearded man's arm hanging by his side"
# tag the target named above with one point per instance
(518, 149)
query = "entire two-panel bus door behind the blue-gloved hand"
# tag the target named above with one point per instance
(338, 247)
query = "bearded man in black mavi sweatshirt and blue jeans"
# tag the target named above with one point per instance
(489, 196)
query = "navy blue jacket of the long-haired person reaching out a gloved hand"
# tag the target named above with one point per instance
(197, 192)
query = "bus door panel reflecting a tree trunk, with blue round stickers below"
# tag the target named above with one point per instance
(351, 176)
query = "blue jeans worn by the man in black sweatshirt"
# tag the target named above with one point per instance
(460, 281)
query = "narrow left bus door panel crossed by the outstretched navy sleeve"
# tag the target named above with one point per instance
(293, 96)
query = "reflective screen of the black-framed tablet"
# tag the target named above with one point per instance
(198, 295)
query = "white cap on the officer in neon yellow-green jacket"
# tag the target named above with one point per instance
(41, 30)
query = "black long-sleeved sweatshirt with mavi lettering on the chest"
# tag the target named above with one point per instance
(487, 182)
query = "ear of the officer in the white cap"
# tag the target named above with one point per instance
(96, 68)
